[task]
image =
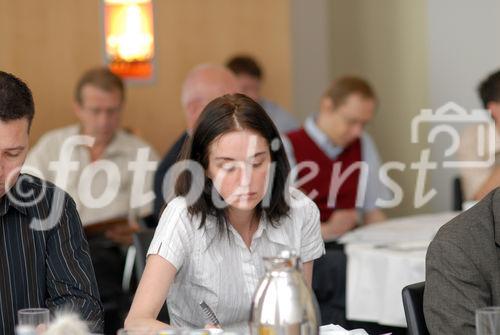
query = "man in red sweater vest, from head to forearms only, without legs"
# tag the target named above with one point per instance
(335, 137)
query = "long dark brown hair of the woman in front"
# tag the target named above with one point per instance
(225, 114)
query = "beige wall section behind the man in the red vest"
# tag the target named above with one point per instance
(385, 42)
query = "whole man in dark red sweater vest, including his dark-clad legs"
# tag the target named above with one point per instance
(337, 165)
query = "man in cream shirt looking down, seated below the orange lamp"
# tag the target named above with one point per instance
(92, 161)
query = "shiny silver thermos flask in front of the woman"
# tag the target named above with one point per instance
(283, 304)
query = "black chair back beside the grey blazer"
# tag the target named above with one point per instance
(413, 302)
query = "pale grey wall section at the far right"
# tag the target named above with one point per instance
(464, 46)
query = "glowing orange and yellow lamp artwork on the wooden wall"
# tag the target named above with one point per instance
(129, 38)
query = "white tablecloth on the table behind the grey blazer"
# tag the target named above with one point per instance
(381, 260)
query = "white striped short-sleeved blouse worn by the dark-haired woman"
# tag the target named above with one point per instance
(224, 272)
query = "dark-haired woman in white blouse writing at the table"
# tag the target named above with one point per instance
(209, 247)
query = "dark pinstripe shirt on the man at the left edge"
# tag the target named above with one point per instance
(44, 257)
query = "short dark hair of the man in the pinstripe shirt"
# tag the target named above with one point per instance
(16, 100)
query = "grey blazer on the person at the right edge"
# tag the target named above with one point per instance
(463, 269)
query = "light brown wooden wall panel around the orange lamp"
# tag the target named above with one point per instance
(49, 43)
